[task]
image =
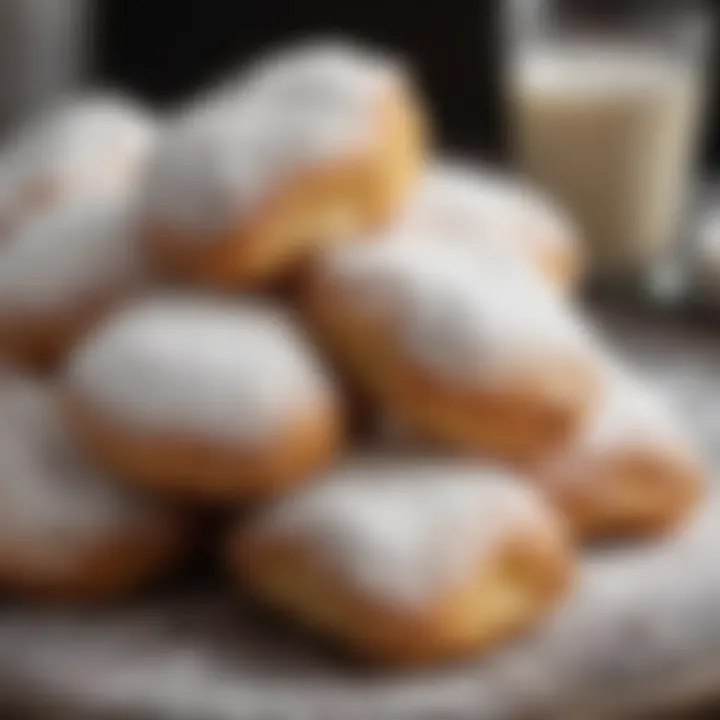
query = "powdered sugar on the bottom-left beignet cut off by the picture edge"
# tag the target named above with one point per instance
(53, 506)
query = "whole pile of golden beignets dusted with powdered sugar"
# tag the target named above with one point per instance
(278, 300)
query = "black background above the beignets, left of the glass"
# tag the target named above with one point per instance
(163, 50)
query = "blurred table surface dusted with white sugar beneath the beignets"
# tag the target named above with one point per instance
(641, 632)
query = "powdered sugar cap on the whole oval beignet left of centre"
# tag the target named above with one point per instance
(213, 368)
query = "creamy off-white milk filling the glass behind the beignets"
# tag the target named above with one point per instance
(610, 132)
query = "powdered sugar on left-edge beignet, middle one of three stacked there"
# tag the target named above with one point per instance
(68, 255)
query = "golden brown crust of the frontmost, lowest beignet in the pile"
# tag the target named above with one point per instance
(504, 596)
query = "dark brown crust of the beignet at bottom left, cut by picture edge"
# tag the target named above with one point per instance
(109, 570)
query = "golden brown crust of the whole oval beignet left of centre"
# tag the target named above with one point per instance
(206, 469)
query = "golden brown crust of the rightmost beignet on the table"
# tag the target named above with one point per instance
(627, 491)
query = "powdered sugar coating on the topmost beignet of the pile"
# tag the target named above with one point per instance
(288, 113)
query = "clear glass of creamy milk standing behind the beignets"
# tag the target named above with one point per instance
(605, 98)
